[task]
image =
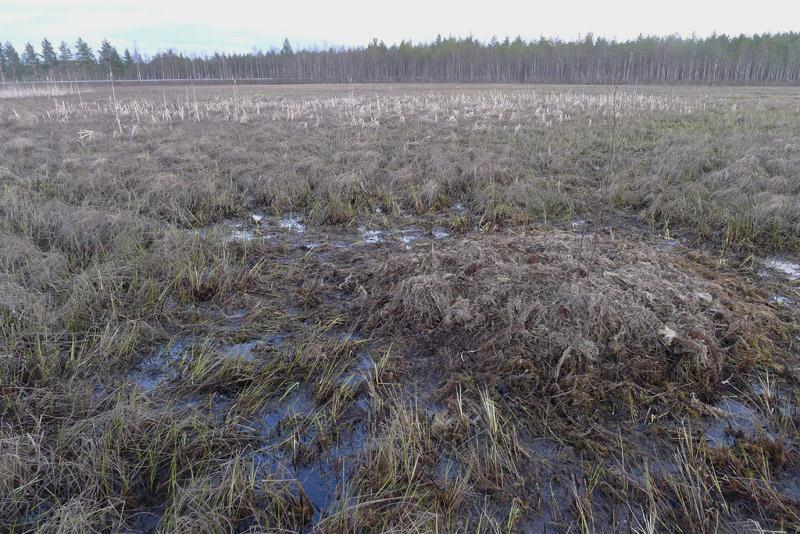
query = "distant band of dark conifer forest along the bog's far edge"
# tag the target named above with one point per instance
(718, 59)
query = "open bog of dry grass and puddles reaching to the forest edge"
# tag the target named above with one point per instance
(409, 308)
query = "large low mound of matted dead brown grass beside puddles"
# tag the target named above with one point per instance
(553, 311)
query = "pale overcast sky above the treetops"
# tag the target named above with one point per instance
(200, 26)
